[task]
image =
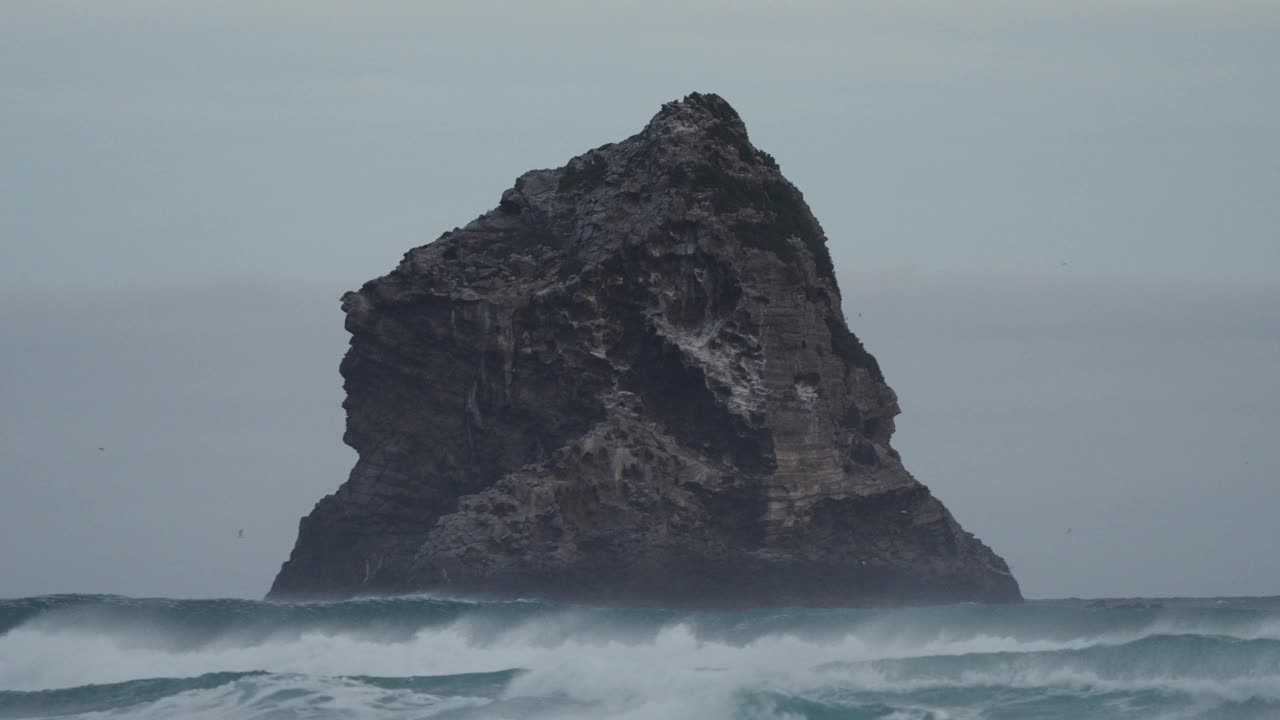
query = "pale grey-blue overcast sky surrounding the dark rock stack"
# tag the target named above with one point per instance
(1054, 224)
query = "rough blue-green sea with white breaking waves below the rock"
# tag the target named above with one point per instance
(107, 657)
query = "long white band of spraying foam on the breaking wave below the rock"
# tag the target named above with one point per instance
(43, 655)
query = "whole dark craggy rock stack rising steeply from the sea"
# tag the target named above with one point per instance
(630, 384)
